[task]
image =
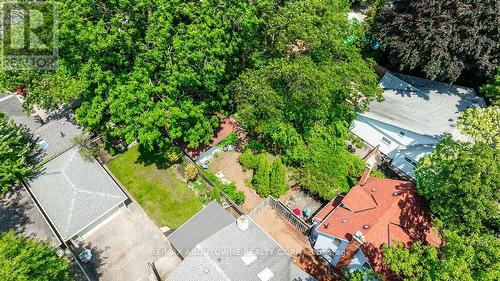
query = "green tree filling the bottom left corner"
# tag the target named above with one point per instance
(23, 259)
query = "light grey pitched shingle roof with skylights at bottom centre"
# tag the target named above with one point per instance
(219, 257)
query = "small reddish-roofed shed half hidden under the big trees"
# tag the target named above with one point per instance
(204, 153)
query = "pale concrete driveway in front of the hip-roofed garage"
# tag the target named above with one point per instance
(124, 247)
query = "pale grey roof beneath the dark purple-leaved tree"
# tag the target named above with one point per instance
(422, 106)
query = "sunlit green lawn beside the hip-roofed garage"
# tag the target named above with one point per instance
(167, 200)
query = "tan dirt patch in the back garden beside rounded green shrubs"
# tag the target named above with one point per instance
(227, 162)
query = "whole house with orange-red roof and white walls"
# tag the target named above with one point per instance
(350, 231)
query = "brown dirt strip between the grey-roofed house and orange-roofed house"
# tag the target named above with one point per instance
(295, 243)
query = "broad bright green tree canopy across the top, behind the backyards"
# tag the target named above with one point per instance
(158, 72)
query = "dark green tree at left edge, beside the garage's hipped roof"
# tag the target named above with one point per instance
(18, 153)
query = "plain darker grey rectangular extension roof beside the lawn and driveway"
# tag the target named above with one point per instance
(203, 225)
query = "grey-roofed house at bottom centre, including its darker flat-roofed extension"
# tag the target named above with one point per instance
(215, 246)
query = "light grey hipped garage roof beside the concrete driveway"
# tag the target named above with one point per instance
(75, 192)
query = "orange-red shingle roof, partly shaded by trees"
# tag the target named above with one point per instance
(384, 210)
